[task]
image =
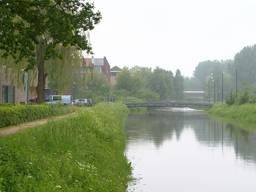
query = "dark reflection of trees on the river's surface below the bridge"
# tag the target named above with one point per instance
(161, 126)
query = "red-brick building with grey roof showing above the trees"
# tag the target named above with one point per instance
(100, 65)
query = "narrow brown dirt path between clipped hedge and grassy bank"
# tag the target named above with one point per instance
(14, 129)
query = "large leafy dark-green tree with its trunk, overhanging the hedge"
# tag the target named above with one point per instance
(32, 29)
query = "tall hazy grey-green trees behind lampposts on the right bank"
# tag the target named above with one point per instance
(237, 76)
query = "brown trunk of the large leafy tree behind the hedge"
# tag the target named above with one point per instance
(41, 76)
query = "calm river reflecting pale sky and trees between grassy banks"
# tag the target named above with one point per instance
(188, 151)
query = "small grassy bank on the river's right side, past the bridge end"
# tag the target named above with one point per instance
(245, 114)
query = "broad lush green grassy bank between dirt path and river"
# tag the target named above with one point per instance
(79, 154)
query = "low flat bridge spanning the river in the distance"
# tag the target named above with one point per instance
(176, 104)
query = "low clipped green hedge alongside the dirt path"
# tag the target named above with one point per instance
(16, 114)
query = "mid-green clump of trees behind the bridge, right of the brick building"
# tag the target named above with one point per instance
(147, 84)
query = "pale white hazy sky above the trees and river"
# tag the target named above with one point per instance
(173, 33)
